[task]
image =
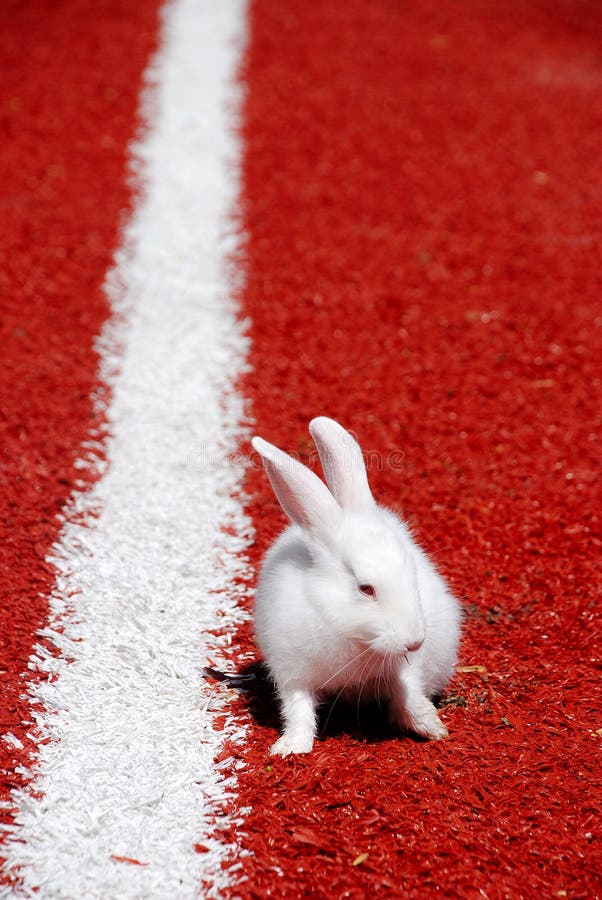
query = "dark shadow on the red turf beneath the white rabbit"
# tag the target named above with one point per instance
(365, 721)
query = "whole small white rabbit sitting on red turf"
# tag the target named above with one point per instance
(346, 601)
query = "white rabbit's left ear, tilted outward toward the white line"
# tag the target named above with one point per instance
(302, 495)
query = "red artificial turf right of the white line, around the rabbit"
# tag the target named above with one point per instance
(423, 199)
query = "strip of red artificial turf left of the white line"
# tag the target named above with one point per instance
(71, 74)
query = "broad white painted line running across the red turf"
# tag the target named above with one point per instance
(129, 769)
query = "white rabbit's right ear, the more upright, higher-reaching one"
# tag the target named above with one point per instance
(343, 464)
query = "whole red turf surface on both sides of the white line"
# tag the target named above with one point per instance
(421, 203)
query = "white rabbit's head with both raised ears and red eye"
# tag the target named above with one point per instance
(360, 573)
